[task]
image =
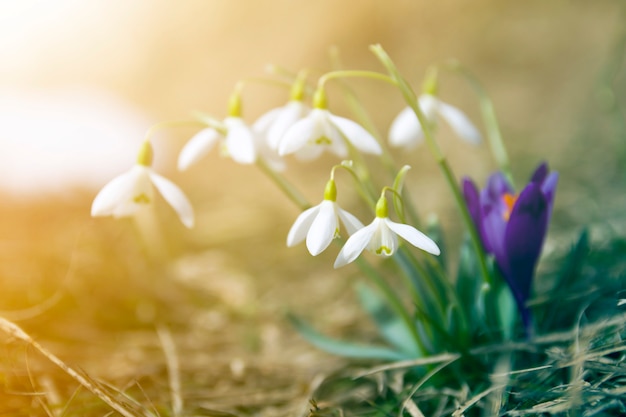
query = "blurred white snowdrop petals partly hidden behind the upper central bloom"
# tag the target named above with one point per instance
(273, 124)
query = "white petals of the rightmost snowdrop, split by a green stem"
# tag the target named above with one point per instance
(406, 130)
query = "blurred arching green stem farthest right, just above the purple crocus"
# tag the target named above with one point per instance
(491, 121)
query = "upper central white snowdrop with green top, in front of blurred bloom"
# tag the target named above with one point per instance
(321, 130)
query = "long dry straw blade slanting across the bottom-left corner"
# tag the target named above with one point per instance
(16, 332)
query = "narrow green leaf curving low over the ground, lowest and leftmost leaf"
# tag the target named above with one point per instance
(342, 348)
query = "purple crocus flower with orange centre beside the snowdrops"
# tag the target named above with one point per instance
(512, 227)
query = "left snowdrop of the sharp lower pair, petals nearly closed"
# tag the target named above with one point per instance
(319, 225)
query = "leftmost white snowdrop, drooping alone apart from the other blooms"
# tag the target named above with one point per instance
(131, 192)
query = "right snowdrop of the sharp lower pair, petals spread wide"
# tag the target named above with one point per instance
(381, 238)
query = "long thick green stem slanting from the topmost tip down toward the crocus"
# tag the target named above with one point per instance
(411, 99)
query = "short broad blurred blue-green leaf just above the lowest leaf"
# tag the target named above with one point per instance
(389, 324)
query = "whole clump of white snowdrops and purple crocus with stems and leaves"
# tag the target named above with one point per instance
(485, 300)
